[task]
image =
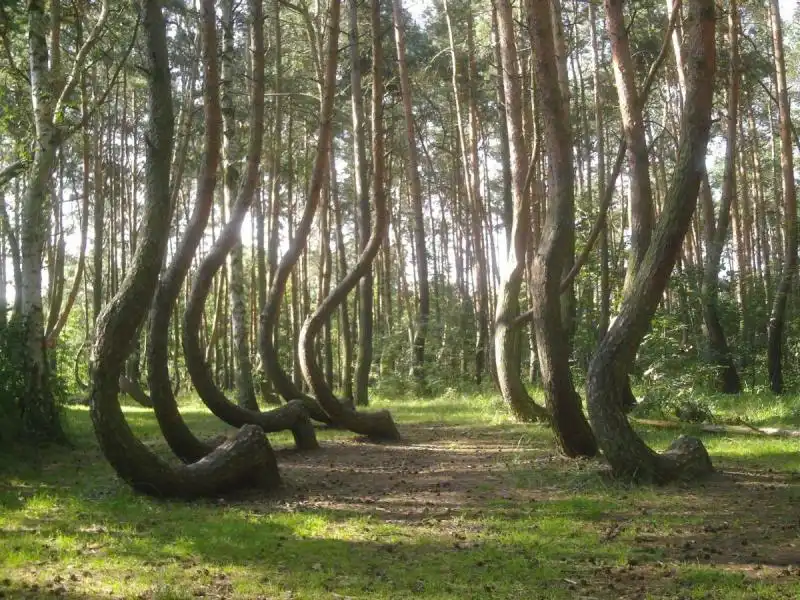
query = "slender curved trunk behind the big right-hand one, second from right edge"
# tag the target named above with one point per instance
(727, 379)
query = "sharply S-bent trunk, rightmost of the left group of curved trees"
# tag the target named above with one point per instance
(378, 425)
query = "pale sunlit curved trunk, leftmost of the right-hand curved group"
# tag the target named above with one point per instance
(507, 338)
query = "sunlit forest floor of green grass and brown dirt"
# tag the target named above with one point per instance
(470, 505)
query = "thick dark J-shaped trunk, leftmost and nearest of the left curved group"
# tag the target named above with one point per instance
(245, 461)
